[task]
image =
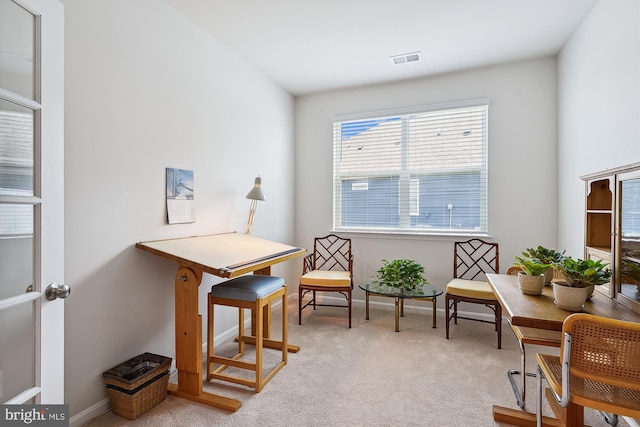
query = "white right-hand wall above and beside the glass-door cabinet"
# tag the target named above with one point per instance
(599, 107)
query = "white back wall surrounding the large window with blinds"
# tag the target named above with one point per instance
(522, 166)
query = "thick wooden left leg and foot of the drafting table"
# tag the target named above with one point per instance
(189, 344)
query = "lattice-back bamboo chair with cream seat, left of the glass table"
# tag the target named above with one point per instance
(328, 269)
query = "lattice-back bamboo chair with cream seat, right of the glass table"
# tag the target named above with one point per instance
(472, 259)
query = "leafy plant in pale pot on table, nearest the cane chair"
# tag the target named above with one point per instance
(580, 276)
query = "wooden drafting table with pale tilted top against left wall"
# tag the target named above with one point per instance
(225, 255)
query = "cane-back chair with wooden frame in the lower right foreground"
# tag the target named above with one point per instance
(598, 367)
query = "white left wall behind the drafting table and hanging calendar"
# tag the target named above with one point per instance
(146, 89)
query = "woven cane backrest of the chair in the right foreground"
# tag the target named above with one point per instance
(604, 350)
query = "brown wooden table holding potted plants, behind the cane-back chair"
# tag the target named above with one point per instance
(540, 311)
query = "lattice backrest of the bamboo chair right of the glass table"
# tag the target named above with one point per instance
(474, 258)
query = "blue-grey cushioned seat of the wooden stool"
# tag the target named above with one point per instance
(247, 288)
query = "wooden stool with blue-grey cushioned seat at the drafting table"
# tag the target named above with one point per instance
(255, 292)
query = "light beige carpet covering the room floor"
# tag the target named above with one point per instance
(368, 376)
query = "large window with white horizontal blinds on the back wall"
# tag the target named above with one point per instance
(413, 171)
